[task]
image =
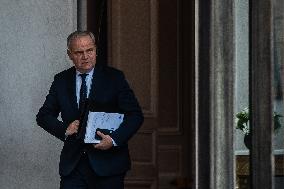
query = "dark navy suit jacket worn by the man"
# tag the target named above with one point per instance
(109, 92)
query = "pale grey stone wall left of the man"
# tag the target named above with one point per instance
(32, 46)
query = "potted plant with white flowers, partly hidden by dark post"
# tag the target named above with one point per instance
(243, 124)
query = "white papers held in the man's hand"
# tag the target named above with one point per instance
(102, 121)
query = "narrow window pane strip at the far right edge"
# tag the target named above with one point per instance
(278, 140)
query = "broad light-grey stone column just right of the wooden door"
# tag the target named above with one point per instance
(215, 155)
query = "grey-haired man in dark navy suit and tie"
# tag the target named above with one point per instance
(103, 89)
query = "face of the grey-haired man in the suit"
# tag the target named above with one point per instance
(82, 52)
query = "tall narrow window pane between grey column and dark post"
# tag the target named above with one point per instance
(242, 91)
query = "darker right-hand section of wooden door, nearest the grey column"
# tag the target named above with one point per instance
(175, 134)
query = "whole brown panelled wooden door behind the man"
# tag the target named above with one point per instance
(152, 41)
